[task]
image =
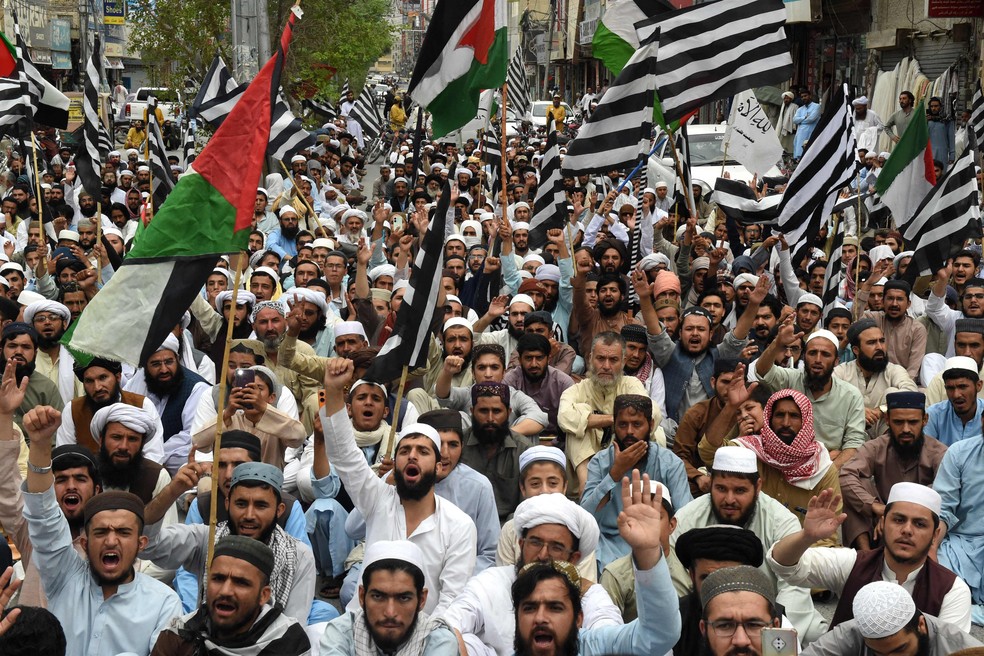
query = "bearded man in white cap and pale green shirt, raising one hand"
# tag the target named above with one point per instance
(838, 407)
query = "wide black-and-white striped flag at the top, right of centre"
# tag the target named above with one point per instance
(716, 49)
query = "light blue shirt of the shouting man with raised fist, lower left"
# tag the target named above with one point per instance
(128, 621)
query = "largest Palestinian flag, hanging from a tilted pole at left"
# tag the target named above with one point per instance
(208, 214)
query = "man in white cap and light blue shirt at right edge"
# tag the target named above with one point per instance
(959, 417)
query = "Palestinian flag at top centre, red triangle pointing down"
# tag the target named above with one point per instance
(464, 51)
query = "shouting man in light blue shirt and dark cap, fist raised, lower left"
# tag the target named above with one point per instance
(104, 605)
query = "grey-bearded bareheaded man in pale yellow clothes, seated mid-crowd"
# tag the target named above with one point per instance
(586, 409)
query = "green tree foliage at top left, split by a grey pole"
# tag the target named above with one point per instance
(178, 38)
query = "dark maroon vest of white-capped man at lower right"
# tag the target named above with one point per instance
(932, 584)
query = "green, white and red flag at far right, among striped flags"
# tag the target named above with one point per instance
(908, 175)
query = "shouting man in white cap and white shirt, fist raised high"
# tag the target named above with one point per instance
(410, 510)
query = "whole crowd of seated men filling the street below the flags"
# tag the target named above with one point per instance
(646, 435)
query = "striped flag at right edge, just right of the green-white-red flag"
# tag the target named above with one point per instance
(947, 217)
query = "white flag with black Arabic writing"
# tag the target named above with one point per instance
(750, 138)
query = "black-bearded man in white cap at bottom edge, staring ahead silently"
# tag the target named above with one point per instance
(391, 616)
